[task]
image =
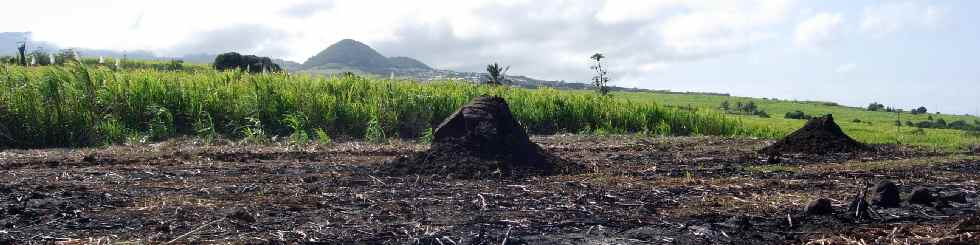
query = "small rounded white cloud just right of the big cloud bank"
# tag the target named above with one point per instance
(818, 30)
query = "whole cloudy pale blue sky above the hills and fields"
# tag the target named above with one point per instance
(900, 53)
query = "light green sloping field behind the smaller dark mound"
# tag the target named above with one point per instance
(875, 126)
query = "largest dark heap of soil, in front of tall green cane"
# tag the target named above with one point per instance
(481, 139)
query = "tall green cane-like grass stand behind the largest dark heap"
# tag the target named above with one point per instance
(84, 105)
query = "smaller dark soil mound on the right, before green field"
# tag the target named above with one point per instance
(820, 135)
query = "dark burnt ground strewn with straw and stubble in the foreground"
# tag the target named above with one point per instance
(685, 190)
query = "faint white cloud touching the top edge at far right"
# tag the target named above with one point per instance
(892, 17)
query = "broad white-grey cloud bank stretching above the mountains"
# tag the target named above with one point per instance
(544, 38)
